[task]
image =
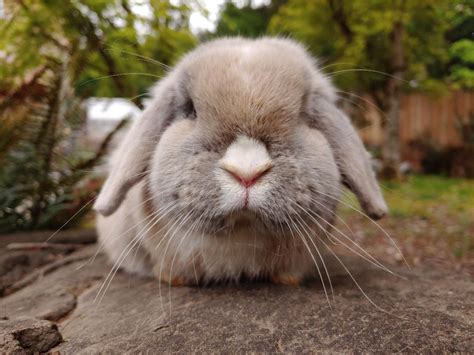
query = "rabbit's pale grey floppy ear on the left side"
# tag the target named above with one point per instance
(132, 157)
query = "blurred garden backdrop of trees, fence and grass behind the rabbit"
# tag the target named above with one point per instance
(74, 73)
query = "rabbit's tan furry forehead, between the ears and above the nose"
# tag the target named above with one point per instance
(247, 85)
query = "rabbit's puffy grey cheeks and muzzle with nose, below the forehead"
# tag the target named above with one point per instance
(223, 183)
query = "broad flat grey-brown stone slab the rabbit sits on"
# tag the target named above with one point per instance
(432, 310)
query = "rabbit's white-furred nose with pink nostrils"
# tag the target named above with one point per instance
(247, 160)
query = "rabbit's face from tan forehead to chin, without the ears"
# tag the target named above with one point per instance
(243, 154)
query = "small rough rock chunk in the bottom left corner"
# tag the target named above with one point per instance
(28, 335)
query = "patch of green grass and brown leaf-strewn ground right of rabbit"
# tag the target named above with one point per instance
(430, 217)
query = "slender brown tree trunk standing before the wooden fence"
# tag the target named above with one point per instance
(391, 146)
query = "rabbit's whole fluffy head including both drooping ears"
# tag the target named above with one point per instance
(243, 131)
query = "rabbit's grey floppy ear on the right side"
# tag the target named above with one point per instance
(349, 152)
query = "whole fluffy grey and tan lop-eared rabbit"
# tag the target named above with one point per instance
(234, 169)
